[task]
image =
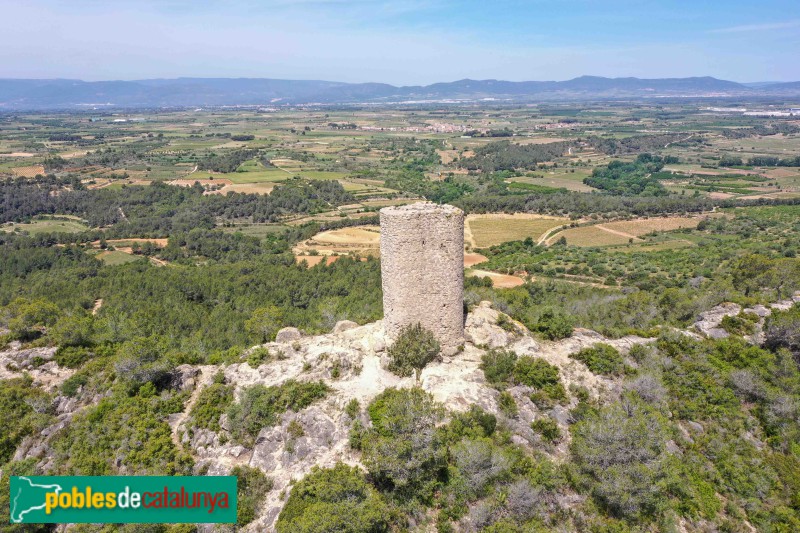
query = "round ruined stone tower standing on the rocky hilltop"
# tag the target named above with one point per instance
(422, 270)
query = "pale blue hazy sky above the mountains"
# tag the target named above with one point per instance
(400, 42)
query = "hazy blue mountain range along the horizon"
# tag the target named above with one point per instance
(22, 94)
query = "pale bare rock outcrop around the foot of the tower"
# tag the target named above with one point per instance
(456, 381)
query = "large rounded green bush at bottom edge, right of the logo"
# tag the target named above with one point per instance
(334, 499)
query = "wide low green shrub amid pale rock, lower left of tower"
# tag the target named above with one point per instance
(261, 406)
